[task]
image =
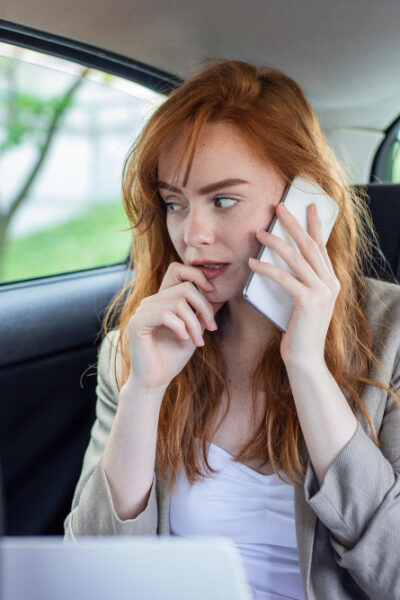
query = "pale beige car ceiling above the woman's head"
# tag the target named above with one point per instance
(345, 54)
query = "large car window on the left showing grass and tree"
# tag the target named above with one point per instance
(64, 133)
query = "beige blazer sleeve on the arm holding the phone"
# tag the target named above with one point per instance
(359, 502)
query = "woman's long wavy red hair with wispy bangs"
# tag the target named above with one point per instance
(275, 118)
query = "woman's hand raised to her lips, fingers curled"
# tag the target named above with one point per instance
(165, 331)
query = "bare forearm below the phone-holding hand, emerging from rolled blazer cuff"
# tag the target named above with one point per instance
(325, 417)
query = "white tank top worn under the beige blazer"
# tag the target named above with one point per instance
(255, 511)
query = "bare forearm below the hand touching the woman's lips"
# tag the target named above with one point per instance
(129, 456)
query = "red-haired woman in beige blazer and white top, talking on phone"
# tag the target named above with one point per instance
(209, 419)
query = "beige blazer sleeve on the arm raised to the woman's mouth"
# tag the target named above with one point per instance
(92, 512)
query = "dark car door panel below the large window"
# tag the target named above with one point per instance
(50, 336)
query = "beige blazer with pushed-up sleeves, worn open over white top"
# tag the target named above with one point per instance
(348, 530)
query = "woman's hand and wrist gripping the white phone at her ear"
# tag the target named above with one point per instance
(314, 291)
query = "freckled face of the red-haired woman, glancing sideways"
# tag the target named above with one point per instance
(219, 225)
